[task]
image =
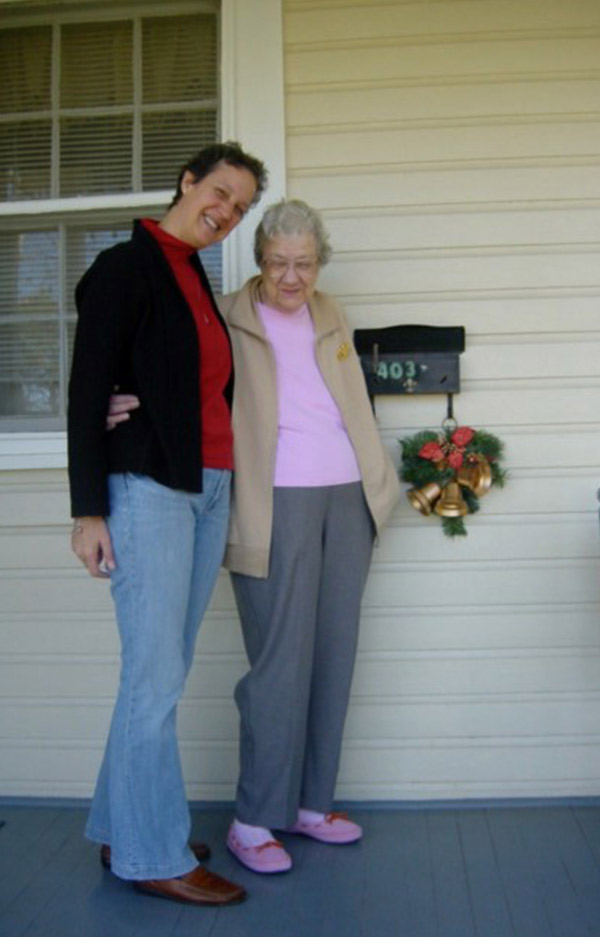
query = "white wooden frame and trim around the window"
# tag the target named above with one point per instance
(252, 111)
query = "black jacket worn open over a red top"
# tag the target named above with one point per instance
(136, 331)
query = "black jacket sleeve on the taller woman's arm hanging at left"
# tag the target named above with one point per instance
(108, 299)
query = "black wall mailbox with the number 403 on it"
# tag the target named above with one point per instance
(411, 359)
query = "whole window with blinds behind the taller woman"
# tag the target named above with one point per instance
(96, 115)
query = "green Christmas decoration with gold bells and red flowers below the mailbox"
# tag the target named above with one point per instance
(450, 471)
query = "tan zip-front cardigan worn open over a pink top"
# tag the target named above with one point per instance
(255, 423)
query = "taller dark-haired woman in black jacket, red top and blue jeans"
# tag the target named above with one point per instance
(151, 502)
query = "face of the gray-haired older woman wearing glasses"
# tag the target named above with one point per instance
(290, 270)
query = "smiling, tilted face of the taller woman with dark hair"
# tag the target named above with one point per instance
(211, 207)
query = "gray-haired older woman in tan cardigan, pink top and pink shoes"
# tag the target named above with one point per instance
(312, 487)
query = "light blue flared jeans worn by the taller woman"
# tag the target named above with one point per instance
(168, 548)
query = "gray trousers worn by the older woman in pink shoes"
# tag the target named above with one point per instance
(300, 628)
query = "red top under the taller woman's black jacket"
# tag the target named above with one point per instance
(215, 356)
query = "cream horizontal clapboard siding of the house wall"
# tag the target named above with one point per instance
(454, 149)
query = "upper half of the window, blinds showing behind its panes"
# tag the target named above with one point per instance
(134, 98)
